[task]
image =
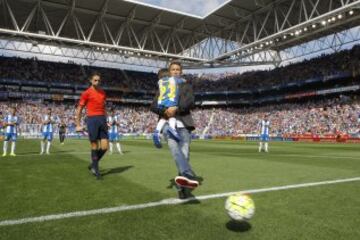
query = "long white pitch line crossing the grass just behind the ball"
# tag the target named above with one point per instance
(165, 202)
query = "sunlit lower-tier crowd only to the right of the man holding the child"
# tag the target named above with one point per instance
(320, 117)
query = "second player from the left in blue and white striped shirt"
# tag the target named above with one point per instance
(47, 131)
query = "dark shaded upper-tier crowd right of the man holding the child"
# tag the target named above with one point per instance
(324, 65)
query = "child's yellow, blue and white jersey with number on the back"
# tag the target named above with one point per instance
(169, 91)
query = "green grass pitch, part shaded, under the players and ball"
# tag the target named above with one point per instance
(33, 185)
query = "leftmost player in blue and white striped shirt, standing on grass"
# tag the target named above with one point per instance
(11, 122)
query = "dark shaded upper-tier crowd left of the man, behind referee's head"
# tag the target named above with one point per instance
(42, 71)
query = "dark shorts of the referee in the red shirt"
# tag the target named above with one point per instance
(97, 128)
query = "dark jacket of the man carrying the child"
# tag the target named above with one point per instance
(185, 105)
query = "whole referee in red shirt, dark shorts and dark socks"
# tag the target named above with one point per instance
(94, 99)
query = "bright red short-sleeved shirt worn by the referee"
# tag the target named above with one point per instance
(94, 100)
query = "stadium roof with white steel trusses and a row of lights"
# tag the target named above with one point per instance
(236, 30)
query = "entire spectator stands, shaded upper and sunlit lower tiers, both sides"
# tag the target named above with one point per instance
(331, 75)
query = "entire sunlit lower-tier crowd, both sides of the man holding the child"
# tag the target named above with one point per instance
(320, 117)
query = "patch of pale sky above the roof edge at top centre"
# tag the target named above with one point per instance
(199, 8)
